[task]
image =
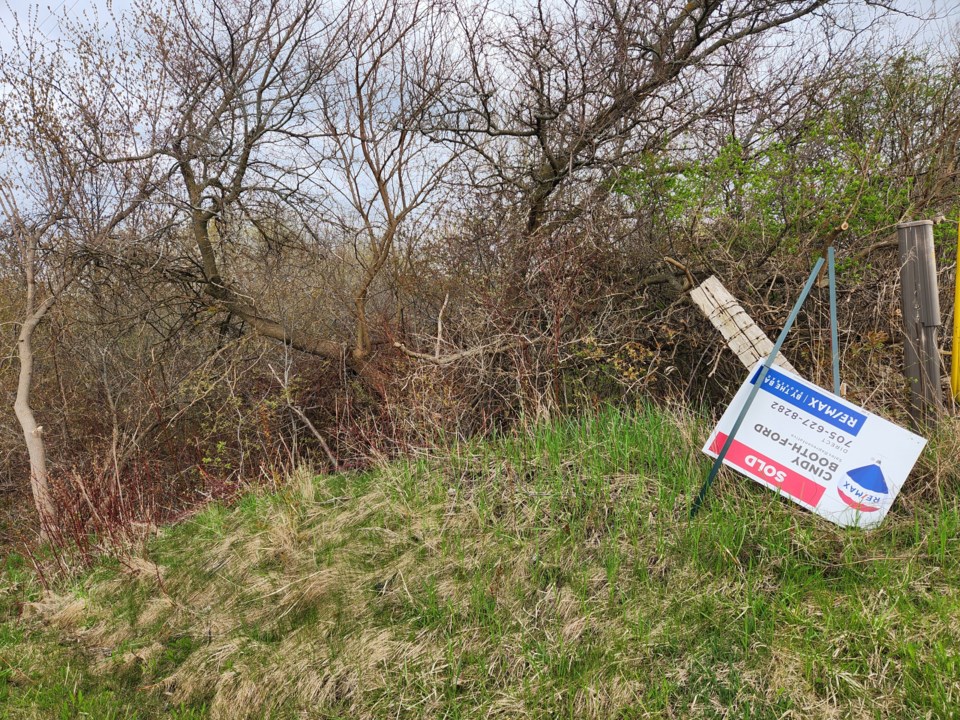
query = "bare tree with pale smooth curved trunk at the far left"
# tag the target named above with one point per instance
(58, 209)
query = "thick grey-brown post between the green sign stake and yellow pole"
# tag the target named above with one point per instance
(920, 304)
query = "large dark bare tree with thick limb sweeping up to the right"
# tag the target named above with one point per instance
(579, 89)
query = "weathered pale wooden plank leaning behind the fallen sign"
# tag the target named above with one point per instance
(744, 337)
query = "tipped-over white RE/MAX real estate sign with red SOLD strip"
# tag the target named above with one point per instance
(832, 457)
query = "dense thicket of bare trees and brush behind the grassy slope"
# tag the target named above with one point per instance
(235, 233)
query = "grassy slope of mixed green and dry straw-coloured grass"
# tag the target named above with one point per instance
(554, 575)
